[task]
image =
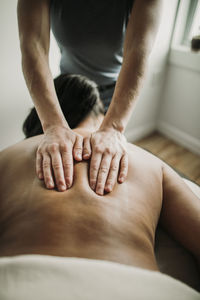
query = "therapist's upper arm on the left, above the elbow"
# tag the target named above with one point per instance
(34, 23)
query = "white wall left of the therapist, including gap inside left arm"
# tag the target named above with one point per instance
(15, 101)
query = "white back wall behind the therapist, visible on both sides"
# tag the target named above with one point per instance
(15, 100)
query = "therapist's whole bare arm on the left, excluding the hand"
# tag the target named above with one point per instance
(34, 33)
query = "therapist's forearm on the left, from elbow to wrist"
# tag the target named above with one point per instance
(41, 87)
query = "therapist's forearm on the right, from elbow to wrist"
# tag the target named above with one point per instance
(126, 91)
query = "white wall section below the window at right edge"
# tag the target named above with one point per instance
(179, 115)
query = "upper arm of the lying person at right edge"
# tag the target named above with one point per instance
(180, 213)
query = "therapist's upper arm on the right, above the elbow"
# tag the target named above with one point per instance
(143, 24)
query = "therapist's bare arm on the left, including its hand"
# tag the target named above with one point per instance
(54, 154)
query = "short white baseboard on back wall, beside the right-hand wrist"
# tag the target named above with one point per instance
(136, 133)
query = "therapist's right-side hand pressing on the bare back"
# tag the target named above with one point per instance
(109, 160)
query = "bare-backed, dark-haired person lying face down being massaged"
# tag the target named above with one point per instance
(118, 226)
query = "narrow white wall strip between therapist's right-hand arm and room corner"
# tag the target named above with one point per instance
(144, 117)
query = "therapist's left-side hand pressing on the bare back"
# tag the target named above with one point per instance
(54, 158)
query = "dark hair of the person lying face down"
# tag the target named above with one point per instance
(78, 97)
